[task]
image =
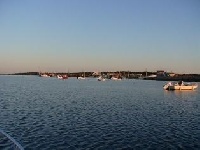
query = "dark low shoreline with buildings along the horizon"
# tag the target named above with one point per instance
(124, 74)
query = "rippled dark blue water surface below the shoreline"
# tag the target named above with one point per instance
(47, 113)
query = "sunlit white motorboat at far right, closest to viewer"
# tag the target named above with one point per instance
(180, 86)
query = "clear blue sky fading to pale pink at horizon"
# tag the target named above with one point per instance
(99, 35)
